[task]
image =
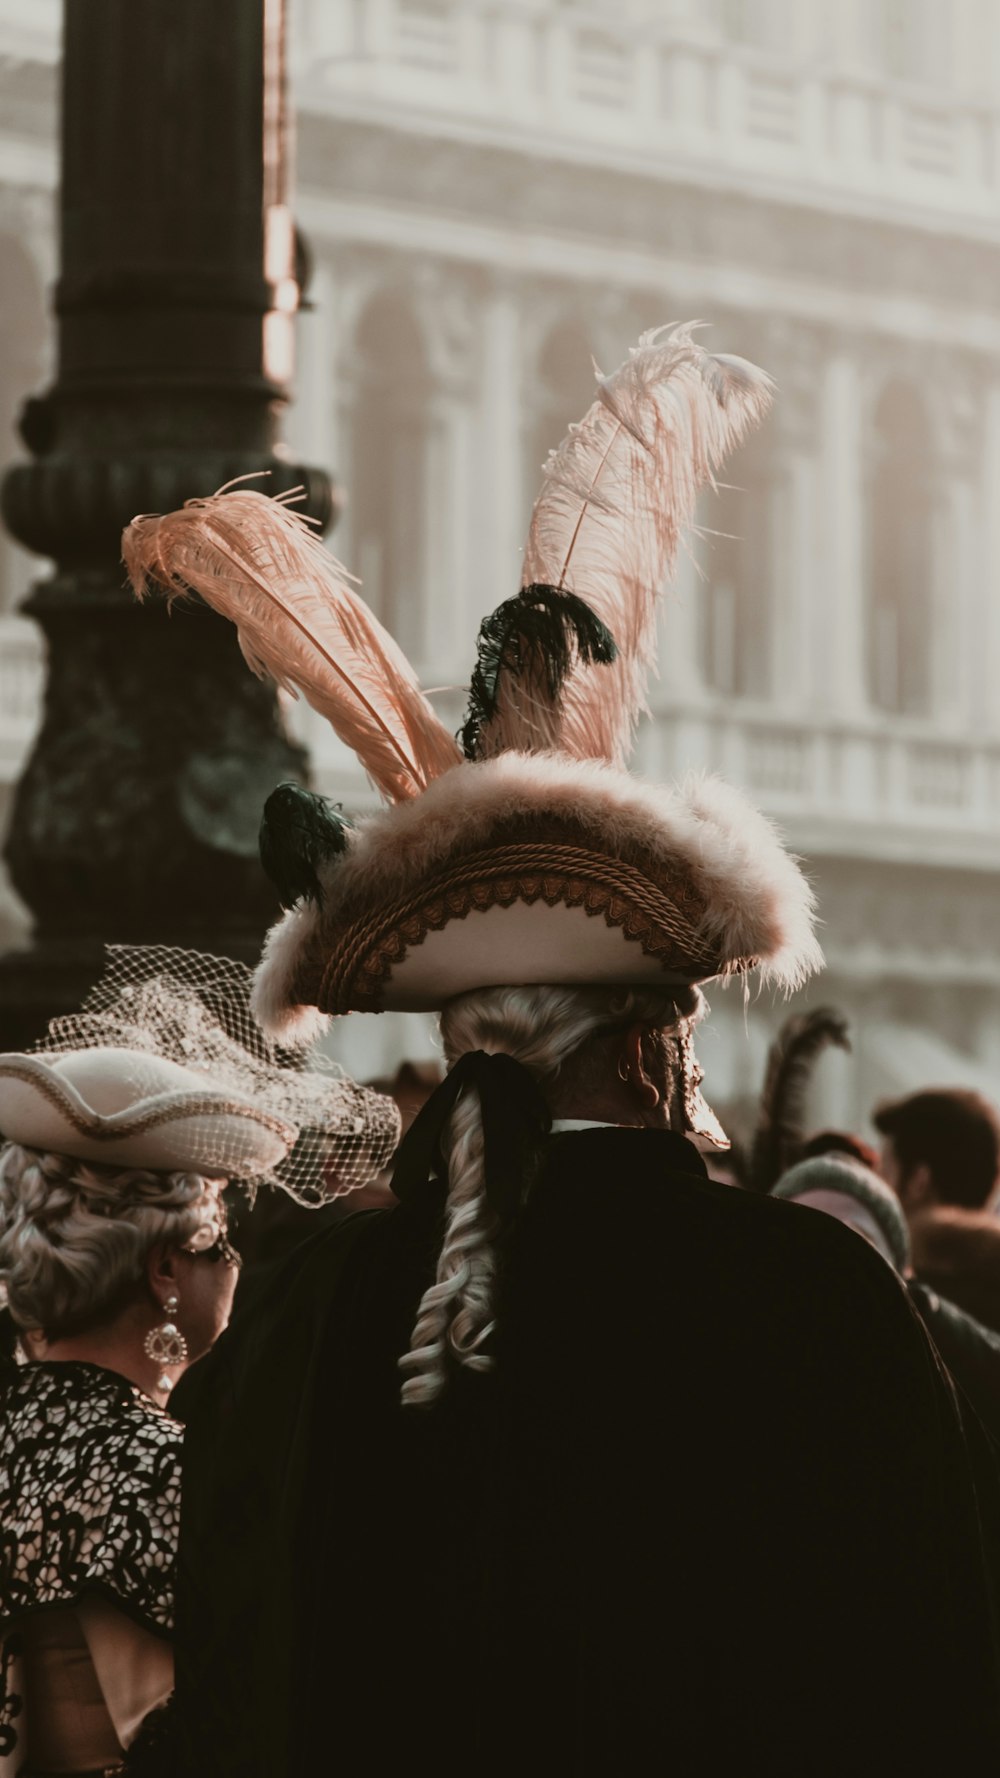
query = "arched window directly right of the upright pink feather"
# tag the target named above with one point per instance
(736, 554)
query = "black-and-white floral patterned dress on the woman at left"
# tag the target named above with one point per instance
(90, 1505)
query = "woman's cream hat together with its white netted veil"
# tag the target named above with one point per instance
(188, 1059)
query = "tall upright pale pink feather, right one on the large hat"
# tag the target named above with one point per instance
(617, 501)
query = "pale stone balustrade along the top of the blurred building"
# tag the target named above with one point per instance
(652, 90)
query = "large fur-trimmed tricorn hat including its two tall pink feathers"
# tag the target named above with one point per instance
(529, 854)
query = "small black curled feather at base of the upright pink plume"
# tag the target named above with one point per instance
(538, 629)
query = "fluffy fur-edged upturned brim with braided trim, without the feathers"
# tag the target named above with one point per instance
(538, 869)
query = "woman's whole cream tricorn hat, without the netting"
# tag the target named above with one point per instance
(129, 1109)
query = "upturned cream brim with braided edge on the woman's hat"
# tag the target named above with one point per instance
(172, 1132)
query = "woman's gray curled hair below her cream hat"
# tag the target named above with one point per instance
(74, 1235)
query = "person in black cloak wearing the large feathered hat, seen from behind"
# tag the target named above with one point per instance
(574, 1462)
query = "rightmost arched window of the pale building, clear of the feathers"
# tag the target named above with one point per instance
(901, 556)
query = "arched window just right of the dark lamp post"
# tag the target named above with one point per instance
(391, 440)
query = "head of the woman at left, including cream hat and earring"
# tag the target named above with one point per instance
(115, 1160)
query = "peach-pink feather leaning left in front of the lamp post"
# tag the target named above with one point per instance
(300, 623)
